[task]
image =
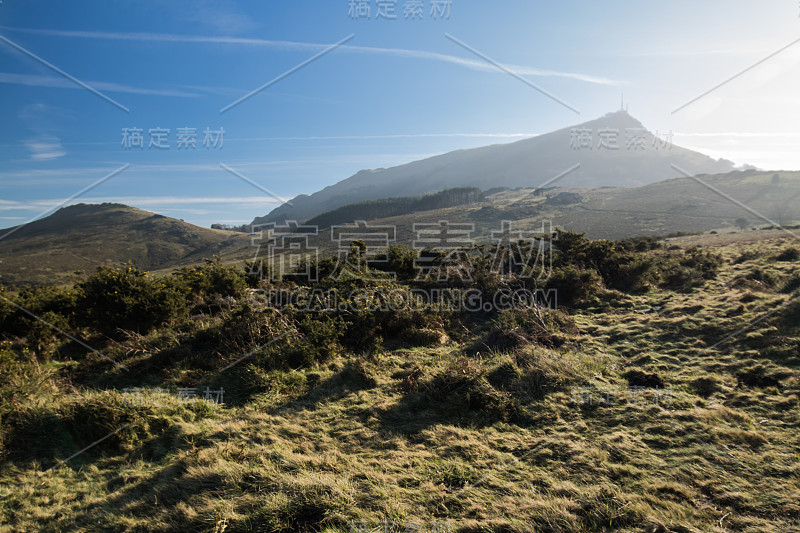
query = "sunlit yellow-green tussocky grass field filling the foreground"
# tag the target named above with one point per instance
(652, 411)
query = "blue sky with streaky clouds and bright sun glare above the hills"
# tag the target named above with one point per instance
(241, 105)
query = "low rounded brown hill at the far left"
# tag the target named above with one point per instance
(82, 236)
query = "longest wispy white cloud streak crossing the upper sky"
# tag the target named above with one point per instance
(305, 46)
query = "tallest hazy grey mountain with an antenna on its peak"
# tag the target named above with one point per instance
(527, 163)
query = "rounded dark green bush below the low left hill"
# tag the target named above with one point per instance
(128, 298)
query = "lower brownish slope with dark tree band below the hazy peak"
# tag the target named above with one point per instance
(679, 205)
